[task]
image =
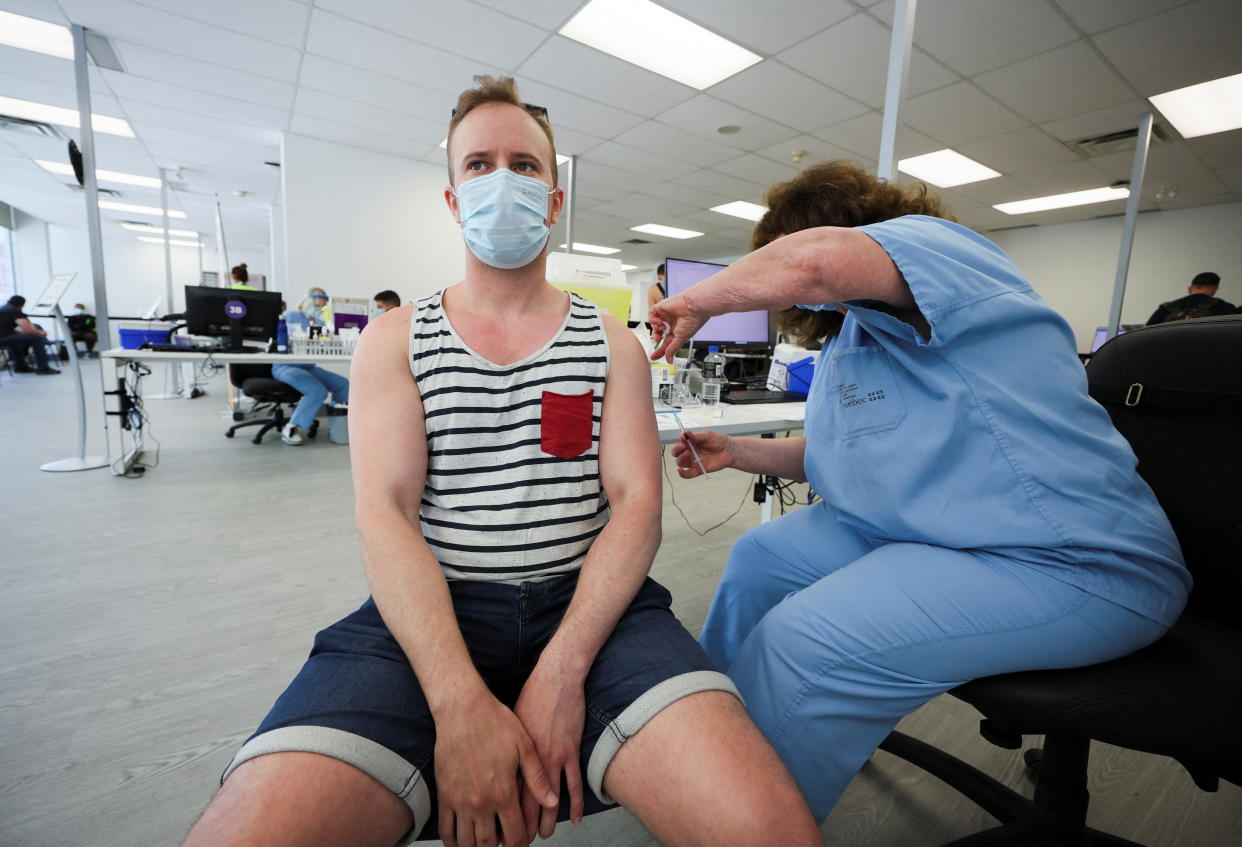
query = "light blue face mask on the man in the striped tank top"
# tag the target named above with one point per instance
(504, 217)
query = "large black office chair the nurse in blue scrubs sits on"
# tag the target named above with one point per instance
(1173, 391)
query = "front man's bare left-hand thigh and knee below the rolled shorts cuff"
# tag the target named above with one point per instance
(301, 799)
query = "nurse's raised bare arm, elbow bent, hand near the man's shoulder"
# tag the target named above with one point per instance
(822, 265)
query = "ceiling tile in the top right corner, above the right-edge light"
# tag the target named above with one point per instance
(1181, 48)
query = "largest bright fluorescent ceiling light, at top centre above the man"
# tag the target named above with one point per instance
(653, 38)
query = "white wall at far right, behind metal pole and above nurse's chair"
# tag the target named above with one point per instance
(1074, 265)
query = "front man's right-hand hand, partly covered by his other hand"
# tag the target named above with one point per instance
(553, 711)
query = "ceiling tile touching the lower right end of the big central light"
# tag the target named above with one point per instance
(782, 94)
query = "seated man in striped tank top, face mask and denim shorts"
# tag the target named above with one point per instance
(502, 438)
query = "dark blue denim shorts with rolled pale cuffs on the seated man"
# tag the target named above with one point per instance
(357, 699)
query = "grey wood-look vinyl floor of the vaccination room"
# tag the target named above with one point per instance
(147, 625)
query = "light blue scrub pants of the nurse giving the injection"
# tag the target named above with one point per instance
(832, 639)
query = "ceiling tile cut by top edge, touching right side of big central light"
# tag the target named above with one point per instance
(766, 28)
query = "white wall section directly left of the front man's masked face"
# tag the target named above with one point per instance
(357, 223)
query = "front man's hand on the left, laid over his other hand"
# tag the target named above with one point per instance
(479, 754)
